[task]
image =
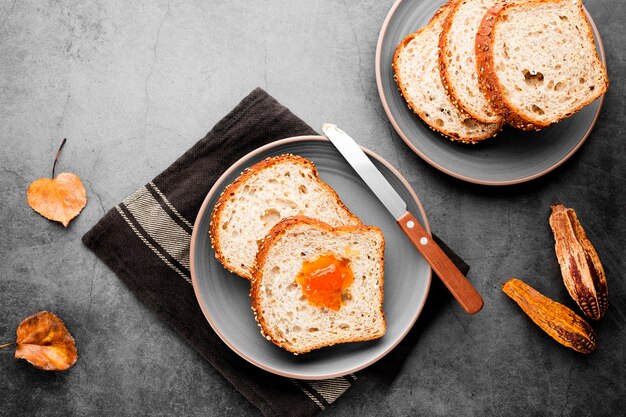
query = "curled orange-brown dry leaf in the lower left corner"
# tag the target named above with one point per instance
(44, 341)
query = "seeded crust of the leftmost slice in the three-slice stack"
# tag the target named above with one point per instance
(421, 114)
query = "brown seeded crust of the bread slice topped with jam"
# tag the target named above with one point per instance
(262, 255)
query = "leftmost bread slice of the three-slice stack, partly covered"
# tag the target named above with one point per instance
(416, 68)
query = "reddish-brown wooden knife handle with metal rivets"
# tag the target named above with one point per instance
(459, 286)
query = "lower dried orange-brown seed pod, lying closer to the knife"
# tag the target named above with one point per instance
(561, 323)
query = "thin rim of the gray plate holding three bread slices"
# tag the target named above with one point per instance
(415, 149)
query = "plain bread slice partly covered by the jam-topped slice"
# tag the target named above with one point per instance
(273, 189)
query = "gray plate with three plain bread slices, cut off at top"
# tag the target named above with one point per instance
(491, 92)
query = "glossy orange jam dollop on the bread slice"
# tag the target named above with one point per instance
(325, 280)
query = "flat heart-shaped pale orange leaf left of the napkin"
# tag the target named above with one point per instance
(59, 199)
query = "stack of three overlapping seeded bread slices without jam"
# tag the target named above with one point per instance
(481, 64)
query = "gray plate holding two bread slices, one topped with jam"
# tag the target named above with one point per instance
(288, 206)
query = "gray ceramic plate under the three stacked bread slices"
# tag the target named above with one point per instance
(511, 157)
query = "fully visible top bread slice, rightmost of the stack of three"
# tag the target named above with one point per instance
(538, 62)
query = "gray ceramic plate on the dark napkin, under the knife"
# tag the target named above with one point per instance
(224, 297)
